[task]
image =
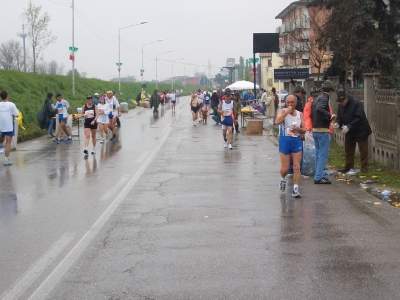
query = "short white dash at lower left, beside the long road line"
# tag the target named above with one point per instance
(37, 268)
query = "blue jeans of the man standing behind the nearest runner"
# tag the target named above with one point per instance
(322, 144)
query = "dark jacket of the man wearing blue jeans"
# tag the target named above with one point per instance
(320, 116)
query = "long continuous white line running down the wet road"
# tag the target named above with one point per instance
(49, 283)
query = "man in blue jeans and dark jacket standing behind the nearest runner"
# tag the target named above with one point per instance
(321, 119)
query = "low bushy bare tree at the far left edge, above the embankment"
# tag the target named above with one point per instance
(11, 57)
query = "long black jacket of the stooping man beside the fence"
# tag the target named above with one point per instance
(353, 116)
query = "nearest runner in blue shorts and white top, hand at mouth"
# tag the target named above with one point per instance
(291, 125)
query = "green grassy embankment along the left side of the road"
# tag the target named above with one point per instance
(28, 92)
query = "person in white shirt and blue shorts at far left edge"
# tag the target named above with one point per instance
(8, 111)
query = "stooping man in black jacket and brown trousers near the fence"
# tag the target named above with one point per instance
(351, 118)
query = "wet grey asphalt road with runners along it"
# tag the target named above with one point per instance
(167, 213)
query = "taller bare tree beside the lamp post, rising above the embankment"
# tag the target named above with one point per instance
(38, 33)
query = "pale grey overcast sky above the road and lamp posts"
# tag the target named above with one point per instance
(199, 31)
